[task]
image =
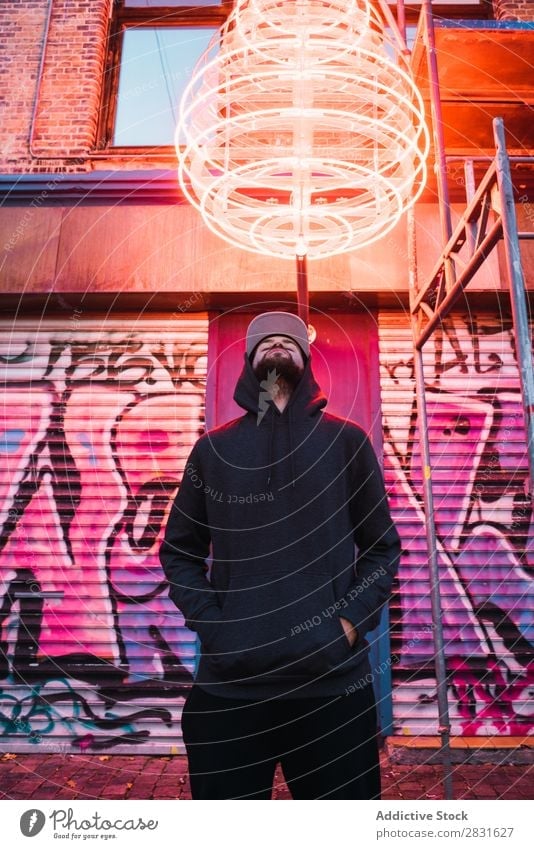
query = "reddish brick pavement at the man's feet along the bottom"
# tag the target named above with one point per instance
(81, 776)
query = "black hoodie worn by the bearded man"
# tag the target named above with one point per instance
(283, 498)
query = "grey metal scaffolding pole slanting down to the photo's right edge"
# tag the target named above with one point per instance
(516, 282)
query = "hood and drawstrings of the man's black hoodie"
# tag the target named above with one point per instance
(307, 400)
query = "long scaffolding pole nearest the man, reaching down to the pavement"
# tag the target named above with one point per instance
(430, 526)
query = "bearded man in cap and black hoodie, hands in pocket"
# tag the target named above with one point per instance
(283, 495)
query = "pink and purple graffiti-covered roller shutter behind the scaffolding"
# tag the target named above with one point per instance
(484, 527)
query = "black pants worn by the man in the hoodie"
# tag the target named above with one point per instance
(327, 747)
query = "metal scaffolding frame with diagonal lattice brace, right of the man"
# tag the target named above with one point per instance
(430, 304)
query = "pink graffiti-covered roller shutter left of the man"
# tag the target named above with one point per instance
(99, 418)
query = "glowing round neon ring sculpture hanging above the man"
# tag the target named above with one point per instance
(301, 131)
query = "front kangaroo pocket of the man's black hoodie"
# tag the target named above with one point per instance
(278, 625)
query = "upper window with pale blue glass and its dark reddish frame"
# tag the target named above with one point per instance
(154, 46)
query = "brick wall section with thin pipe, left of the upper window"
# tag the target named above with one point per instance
(70, 87)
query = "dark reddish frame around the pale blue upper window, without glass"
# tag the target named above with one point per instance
(136, 17)
